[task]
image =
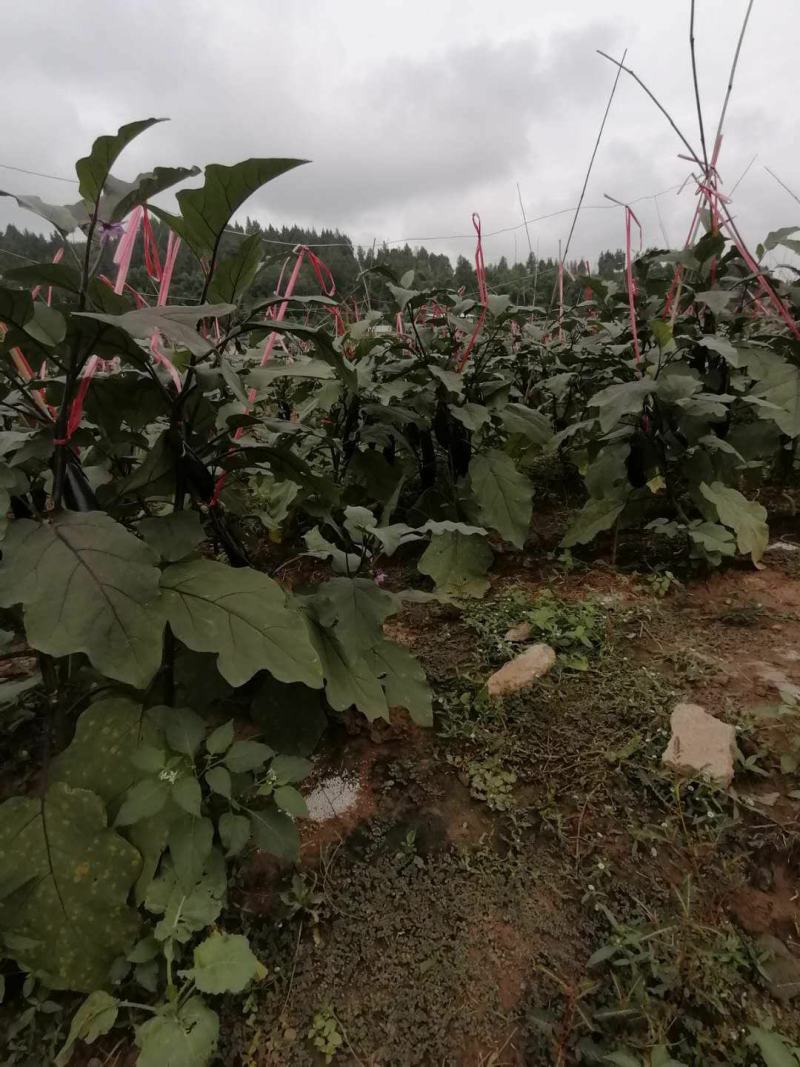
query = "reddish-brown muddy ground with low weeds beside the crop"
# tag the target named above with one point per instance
(525, 884)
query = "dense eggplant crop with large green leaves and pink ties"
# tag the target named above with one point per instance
(164, 470)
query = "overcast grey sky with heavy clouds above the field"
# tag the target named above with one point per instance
(414, 115)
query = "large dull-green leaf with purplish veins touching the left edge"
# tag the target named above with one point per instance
(89, 586)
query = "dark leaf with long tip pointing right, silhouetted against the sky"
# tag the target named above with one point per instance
(206, 212)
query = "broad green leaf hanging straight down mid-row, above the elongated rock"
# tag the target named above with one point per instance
(504, 495)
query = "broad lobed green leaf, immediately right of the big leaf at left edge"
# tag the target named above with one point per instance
(243, 616)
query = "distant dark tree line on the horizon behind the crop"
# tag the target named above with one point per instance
(349, 265)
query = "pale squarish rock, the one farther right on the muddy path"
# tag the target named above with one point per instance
(701, 744)
